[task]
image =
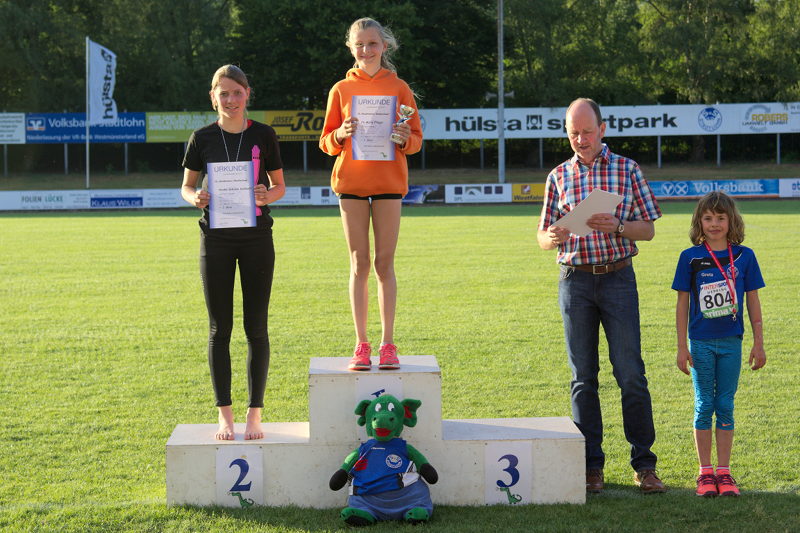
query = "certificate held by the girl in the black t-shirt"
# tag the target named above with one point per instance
(232, 203)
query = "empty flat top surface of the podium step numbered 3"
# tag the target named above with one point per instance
(488, 429)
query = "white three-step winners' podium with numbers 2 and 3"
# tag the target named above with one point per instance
(483, 461)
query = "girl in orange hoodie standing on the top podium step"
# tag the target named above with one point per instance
(369, 179)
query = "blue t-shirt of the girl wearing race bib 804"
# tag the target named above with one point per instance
(709, 297)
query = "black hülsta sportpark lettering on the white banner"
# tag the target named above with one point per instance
(537, 122)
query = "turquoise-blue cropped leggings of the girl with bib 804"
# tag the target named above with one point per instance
(716, 364)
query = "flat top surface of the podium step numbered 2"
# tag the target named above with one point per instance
(274, 433)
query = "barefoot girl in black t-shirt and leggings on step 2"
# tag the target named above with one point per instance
(235, 138)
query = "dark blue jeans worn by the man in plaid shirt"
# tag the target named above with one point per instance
(588, 300)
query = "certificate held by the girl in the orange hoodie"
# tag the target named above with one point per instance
(372, 139)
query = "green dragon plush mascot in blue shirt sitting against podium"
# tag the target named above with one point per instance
(385, 471)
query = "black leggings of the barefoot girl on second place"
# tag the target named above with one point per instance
(254, 251)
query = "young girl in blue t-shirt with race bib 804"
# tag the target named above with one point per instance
(713, 279)
